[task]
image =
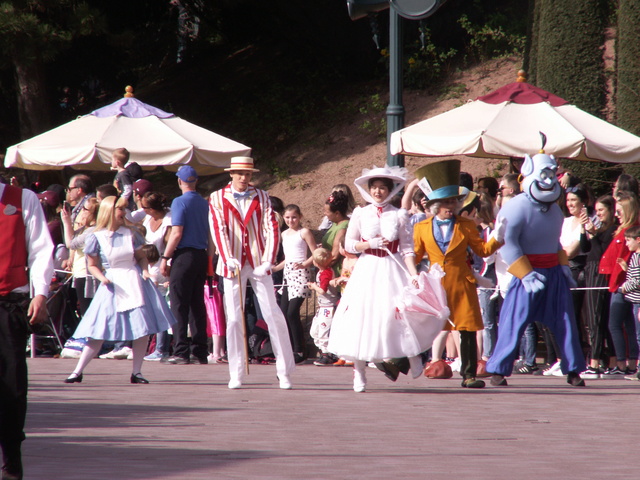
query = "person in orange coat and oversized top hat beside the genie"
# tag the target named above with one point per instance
(445, 238)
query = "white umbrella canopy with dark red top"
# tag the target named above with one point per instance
(506, 122)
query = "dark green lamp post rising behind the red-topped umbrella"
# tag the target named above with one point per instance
(412, 10)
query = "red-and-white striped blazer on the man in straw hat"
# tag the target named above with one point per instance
(254, 238)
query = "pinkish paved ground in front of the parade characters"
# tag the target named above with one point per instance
(187, 424)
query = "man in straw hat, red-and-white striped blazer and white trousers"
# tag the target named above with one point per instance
(246, 234)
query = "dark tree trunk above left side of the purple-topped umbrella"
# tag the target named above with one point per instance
(34, 112)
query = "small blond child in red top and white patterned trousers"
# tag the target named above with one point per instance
(327, 300)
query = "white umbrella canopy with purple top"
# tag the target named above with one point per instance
(152, 136)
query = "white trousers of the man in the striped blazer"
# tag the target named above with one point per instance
(276, 323)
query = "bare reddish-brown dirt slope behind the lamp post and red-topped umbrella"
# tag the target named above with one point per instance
(339, 154)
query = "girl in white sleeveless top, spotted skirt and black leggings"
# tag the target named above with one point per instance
(297, 241)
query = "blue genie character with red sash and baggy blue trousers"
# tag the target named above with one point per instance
(540, 289)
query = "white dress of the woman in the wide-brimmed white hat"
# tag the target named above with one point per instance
(368, 325)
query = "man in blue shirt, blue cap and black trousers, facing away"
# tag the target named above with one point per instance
(187, 249)
